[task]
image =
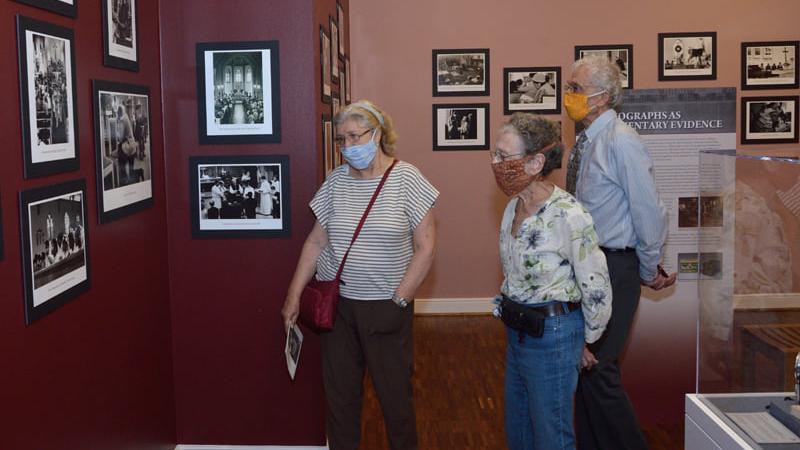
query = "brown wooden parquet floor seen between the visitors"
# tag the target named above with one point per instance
(458, 389)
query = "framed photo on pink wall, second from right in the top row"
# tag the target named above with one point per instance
(687, 56)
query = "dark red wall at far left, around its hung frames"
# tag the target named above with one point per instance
(96, 373)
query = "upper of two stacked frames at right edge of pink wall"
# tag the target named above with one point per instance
(770, 65)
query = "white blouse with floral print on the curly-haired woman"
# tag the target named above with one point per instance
(555, 257)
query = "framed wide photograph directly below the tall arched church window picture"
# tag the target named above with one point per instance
(239, 196)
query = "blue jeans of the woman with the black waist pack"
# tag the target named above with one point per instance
(541, 377)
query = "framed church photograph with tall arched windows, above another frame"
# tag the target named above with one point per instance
(238, 92)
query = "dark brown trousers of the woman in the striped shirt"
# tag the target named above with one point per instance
(376, 335)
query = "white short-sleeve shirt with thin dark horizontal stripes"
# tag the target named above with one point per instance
(381, 254)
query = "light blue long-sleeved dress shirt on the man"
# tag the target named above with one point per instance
(616, 184)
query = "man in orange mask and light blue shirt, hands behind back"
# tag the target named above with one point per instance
(611, 174)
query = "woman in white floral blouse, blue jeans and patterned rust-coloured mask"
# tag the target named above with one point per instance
(556, 295)
